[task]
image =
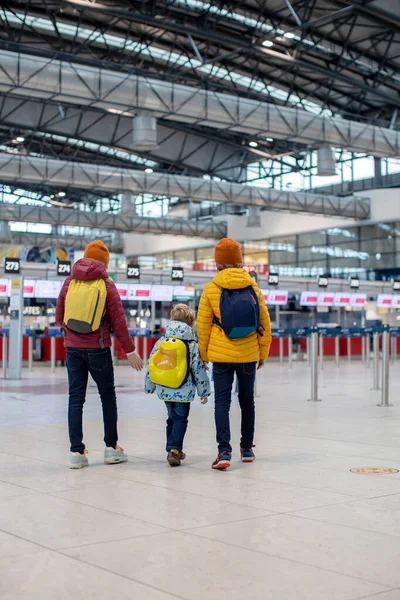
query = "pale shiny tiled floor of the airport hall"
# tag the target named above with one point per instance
(294, 525)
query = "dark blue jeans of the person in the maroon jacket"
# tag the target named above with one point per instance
(97, 362)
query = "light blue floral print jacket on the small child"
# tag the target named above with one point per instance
(197, 379)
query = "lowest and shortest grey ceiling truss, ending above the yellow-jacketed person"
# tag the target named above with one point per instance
(105, 221)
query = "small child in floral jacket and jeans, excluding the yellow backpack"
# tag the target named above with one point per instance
(177, 401)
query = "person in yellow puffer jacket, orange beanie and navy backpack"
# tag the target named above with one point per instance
(230, 355)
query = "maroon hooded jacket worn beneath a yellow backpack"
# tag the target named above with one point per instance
(87, 269)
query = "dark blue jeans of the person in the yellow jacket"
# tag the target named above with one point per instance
(223, 380)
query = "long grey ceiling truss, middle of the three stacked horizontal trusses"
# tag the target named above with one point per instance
(25, 169)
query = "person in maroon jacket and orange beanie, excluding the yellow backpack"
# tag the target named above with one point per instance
(90, 353)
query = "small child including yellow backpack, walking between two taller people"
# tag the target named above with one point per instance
(175, 371)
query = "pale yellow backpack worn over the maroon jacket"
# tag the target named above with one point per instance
(85, 305)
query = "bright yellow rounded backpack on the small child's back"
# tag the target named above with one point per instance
(170, 364)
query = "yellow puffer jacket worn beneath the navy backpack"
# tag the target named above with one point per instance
(214, 345)
